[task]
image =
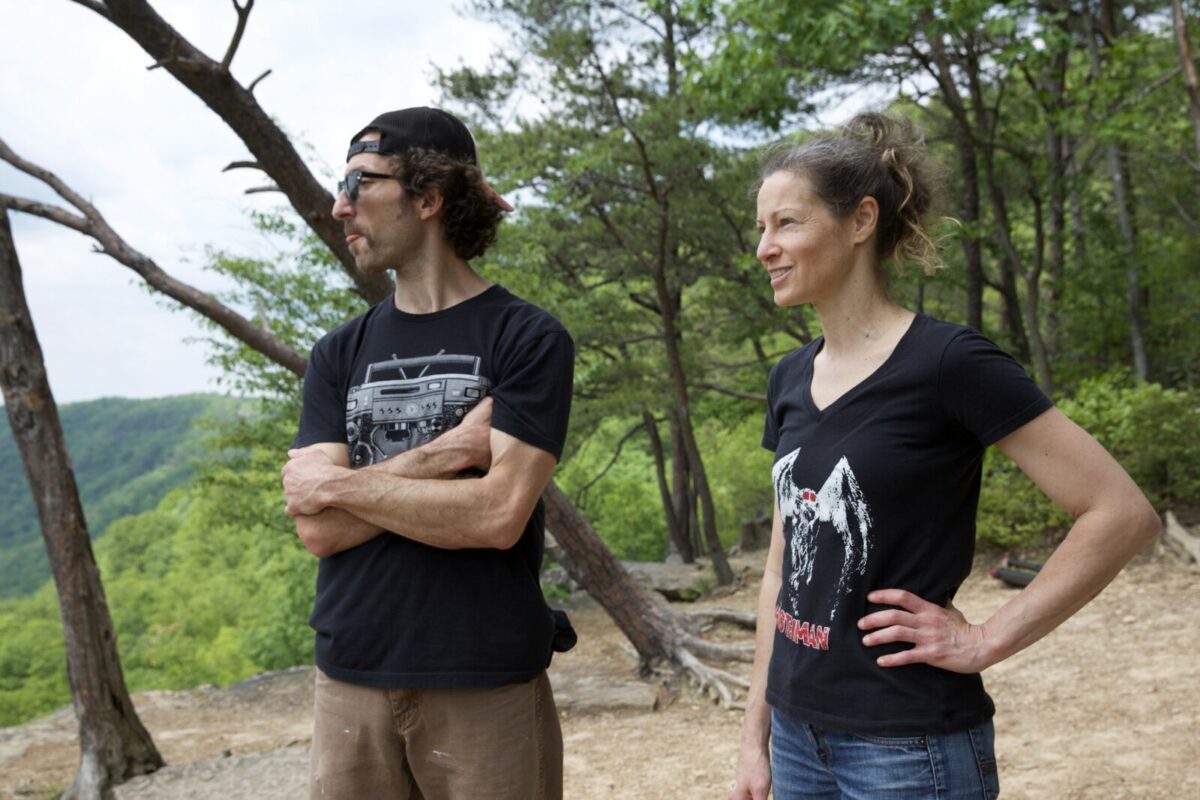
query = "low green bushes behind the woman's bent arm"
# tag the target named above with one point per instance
(1150, 430)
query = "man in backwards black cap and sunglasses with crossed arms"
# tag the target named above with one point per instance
(430, 428)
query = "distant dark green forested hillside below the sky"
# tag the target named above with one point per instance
(128, 454)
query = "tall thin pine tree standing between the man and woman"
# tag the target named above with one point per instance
(635, 207)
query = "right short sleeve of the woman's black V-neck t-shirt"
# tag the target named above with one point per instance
(986, 390)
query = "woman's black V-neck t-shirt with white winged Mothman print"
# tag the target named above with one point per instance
(879, 491)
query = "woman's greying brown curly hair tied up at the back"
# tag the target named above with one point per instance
(878, 157)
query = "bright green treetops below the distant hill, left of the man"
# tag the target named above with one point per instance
(209, 587)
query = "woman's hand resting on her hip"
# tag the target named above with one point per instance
(941, 637)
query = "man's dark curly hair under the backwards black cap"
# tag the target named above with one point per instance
(470, 214)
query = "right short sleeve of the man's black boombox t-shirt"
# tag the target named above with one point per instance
(532, 400)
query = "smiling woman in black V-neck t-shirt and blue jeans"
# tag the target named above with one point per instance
(867, 681)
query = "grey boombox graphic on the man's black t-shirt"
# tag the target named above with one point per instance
(405, 404)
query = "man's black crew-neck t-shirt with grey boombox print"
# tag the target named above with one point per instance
(395, 612)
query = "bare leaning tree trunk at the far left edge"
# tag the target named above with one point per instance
(115, 745)
